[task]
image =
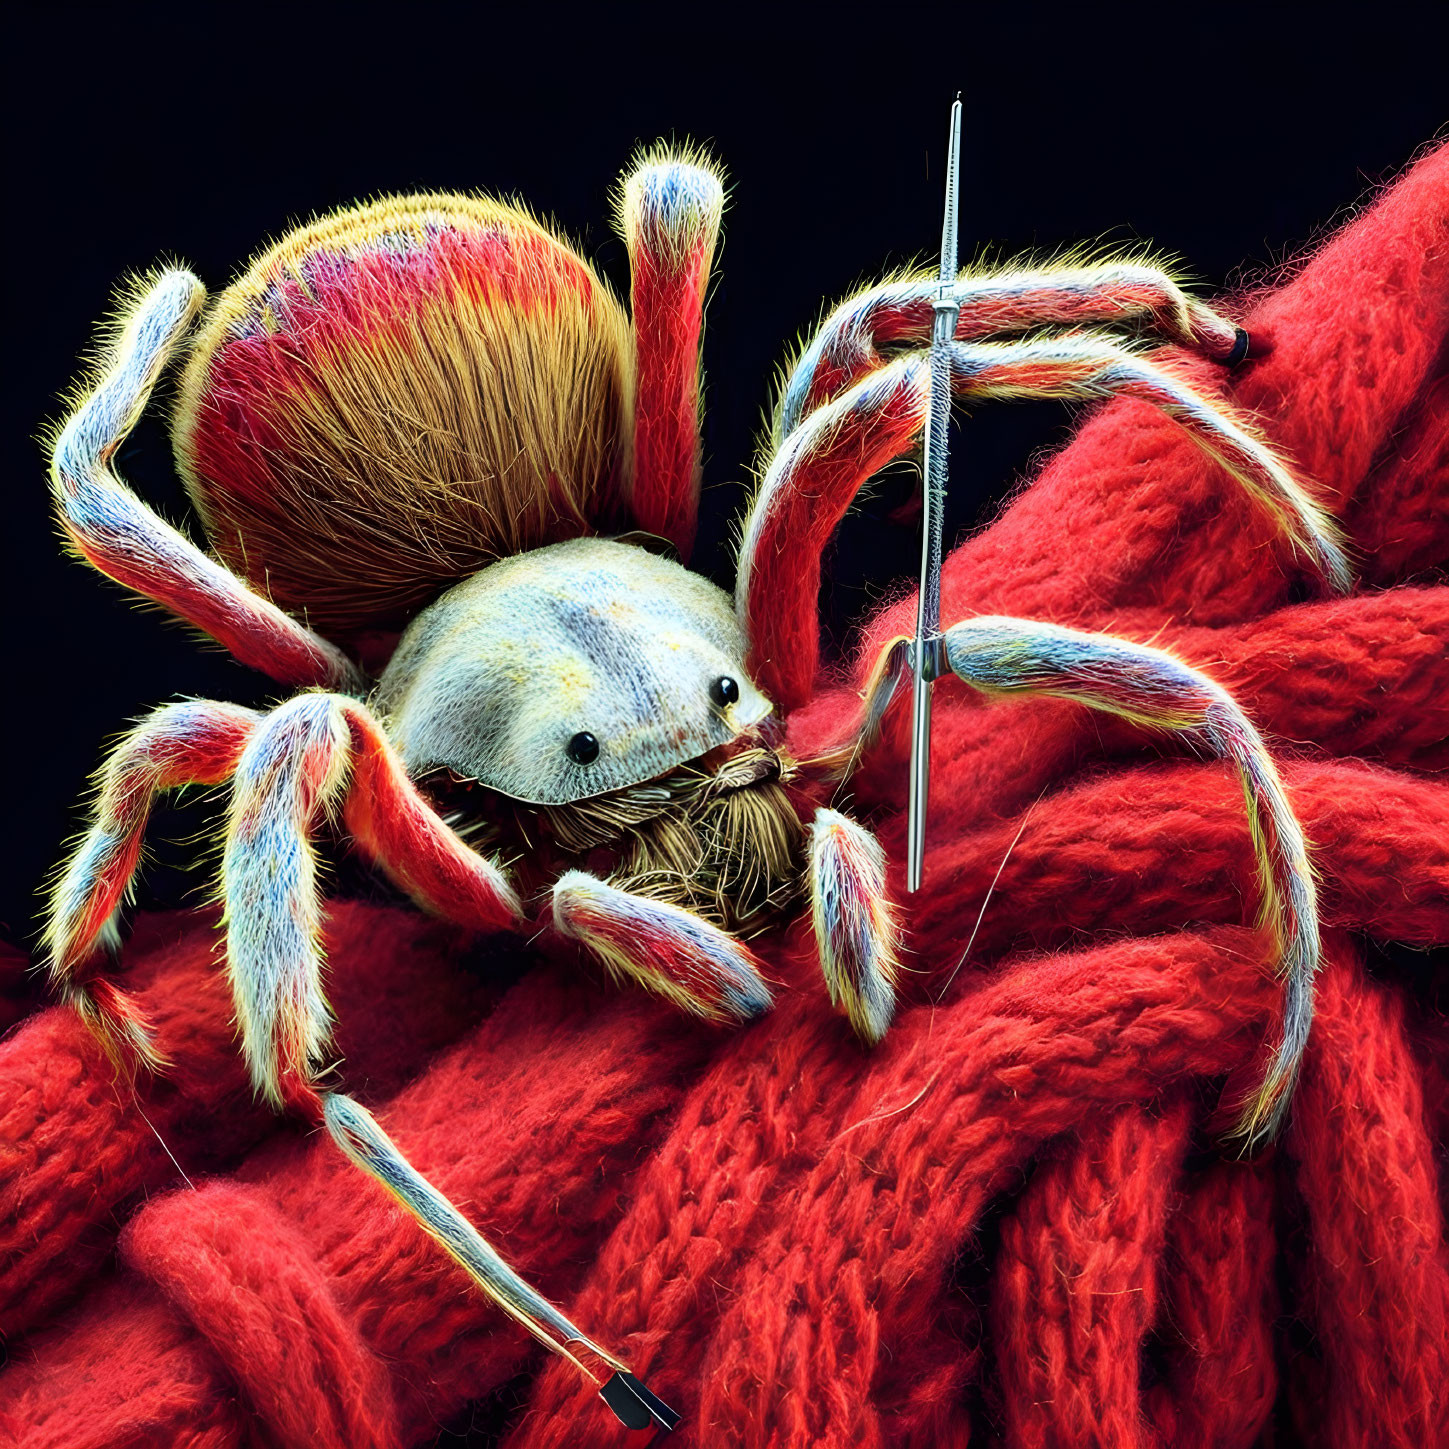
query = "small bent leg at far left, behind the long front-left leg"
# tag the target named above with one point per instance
(196, 743)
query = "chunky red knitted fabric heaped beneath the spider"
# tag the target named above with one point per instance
(1009, 1221)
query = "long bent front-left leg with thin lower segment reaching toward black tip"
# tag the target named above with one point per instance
(298, 767)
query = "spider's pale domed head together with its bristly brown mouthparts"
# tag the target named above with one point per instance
(588, 705)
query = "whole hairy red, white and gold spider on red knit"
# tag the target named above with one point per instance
(440, 473)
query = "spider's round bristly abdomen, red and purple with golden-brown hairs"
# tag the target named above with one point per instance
(395, 396)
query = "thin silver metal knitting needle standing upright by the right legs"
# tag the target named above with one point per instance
(927, 654)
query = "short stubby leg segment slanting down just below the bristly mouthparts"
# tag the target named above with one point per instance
(663, 948)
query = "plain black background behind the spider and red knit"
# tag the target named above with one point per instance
(1229, 137)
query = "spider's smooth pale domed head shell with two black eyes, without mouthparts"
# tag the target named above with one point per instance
(570, 673)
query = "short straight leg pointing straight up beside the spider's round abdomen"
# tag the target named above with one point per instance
(670, 215)
